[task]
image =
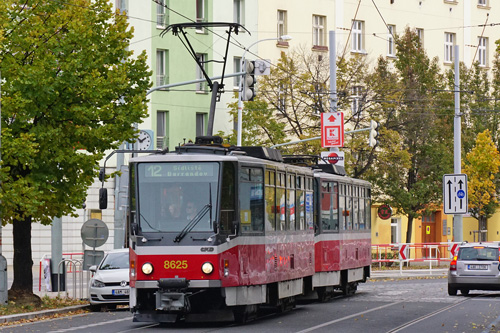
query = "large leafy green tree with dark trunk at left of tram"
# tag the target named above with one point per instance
(71, 90)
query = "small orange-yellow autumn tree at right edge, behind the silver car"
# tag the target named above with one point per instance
(481, 167)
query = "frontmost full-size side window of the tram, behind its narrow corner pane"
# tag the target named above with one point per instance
(251, 200)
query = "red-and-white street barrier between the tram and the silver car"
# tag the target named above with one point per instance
(413, 254)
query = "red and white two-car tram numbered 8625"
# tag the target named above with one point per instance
(217, 231)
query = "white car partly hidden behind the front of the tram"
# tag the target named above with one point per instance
(109, 285)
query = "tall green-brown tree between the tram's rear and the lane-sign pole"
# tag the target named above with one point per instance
(421, 118)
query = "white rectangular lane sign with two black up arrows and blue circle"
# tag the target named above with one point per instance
(455, 194)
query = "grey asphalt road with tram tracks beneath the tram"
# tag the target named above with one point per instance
(416, 305)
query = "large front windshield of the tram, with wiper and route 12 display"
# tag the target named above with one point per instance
(171, 195)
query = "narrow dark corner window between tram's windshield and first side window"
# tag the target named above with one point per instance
(228, 194)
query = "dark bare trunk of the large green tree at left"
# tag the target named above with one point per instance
(23, 262)
